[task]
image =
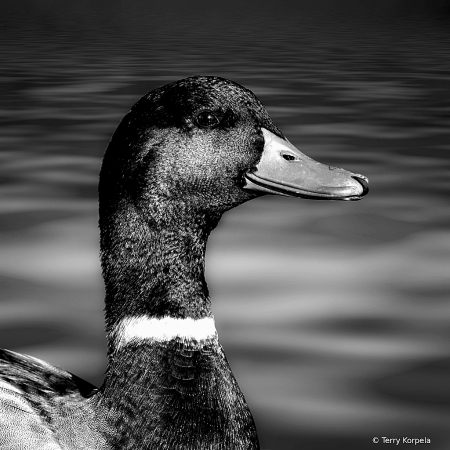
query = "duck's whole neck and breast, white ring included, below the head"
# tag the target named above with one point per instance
(167, 377)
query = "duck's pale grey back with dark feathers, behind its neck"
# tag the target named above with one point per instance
(43, 407)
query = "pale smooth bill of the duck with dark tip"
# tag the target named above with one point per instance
(285, 170)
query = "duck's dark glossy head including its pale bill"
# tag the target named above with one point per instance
(209, 143)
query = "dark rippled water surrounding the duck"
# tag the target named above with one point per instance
(335, 316)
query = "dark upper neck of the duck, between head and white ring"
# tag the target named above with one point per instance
(153, 262)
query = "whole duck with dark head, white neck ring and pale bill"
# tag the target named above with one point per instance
(184, 154)
